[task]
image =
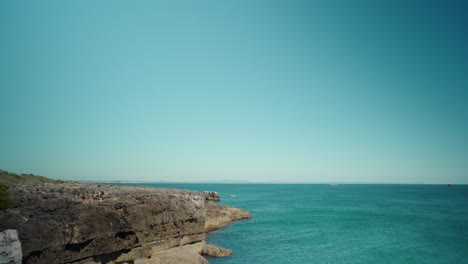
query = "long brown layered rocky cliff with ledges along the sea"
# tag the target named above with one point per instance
(87, 223)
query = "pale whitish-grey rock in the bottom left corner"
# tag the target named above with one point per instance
(10, 247)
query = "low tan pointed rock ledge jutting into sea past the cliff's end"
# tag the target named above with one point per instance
(218, 216)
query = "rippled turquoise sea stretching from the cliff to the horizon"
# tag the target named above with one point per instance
(350, 223)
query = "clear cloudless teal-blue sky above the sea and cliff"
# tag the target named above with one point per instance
(305, 91)
